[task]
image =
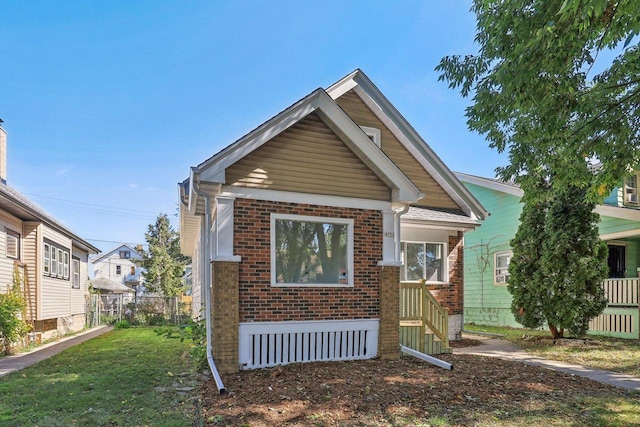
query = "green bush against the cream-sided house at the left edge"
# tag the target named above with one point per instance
(12, 327)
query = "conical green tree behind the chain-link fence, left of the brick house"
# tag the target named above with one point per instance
(163, 263)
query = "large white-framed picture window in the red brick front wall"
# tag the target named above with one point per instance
(311, 251)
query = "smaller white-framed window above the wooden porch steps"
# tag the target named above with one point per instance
(422, 260)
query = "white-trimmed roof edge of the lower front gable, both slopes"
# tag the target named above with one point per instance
(213, 169)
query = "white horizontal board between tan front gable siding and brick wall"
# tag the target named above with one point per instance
(304, 198)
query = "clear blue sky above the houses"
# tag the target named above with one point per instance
(108, 104)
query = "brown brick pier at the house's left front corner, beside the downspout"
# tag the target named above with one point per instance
(224, 315)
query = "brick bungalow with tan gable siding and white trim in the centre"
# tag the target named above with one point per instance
(306, 227)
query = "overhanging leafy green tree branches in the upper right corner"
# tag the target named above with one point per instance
(546, 90)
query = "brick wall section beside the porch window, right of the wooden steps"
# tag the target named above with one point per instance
(450, 295)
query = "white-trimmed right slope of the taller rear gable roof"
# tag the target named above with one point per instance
(409, 138)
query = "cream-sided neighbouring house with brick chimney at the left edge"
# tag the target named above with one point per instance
(50, 259)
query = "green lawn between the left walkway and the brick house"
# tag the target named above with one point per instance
(126, 377)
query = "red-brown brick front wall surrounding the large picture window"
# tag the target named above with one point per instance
(259, 301)
